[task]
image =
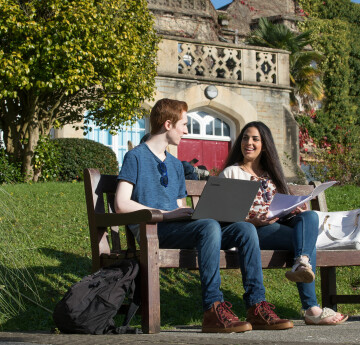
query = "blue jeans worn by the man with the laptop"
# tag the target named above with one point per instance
(208, 237)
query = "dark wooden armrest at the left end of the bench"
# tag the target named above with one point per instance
(136, 217)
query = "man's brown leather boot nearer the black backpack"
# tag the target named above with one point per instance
(220, 319)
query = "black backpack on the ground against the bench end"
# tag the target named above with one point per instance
(90, 305)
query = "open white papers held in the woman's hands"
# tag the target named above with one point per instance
(283, 204)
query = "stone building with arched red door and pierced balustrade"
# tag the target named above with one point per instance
(204, 61)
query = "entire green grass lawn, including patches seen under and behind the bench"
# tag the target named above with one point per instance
(46, 243)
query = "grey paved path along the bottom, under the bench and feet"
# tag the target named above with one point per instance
(348, 333)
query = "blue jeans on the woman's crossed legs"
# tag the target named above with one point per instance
(298, 234)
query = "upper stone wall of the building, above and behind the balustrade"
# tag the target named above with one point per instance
(197, 19)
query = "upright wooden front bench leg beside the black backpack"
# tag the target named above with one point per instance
(150, 284)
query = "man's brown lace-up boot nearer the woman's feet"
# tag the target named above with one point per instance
(262, 316)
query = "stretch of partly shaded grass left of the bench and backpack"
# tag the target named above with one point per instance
(45, 249)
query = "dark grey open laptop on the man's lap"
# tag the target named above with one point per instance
(225, 200)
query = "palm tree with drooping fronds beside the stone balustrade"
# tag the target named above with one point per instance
(304, 73)
